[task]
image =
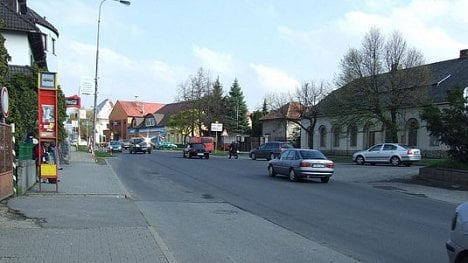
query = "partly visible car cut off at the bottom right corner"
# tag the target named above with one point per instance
(457, 245)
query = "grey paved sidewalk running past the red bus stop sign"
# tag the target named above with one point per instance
(89, 220)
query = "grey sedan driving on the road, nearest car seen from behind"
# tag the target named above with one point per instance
(302, 163)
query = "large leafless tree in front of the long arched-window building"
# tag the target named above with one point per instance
(379, 81)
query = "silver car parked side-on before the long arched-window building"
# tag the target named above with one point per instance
(388, 153)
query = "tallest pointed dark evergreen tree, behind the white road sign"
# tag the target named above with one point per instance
(236, 111)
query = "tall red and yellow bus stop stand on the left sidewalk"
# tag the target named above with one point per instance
(48, 130)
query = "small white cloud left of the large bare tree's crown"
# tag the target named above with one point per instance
(274, 80)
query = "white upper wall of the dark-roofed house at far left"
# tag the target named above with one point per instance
(18, 48)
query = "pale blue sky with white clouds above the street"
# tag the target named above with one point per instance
(148, 49)
